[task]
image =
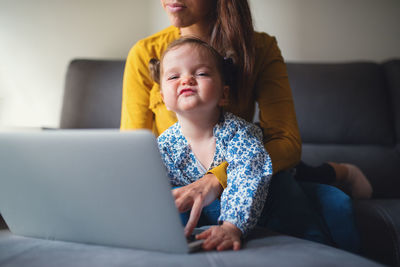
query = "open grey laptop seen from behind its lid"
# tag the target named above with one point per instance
(100, 187)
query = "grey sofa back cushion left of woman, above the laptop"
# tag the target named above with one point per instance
(93, 94)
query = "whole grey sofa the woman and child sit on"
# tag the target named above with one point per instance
(346, 113)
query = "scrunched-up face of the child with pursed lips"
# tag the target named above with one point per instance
(190, 80)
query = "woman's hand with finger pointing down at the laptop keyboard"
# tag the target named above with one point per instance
(195, 196)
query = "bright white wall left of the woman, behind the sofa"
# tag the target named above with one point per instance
(38, 38)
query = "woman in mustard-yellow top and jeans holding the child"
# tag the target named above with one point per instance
(262, 77)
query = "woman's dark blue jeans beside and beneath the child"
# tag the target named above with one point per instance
(290, 210)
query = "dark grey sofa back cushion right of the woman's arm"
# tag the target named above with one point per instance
(341, 103)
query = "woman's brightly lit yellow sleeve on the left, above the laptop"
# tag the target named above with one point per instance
(135, 112)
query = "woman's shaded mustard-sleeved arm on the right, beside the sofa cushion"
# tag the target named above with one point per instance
(277, 114)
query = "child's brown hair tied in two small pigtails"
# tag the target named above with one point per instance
(224, 65)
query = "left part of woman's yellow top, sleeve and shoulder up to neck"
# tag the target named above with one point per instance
(142, 105)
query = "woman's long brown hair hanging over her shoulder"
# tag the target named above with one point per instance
(232, 36)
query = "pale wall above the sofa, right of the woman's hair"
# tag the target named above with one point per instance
(332, 30)
